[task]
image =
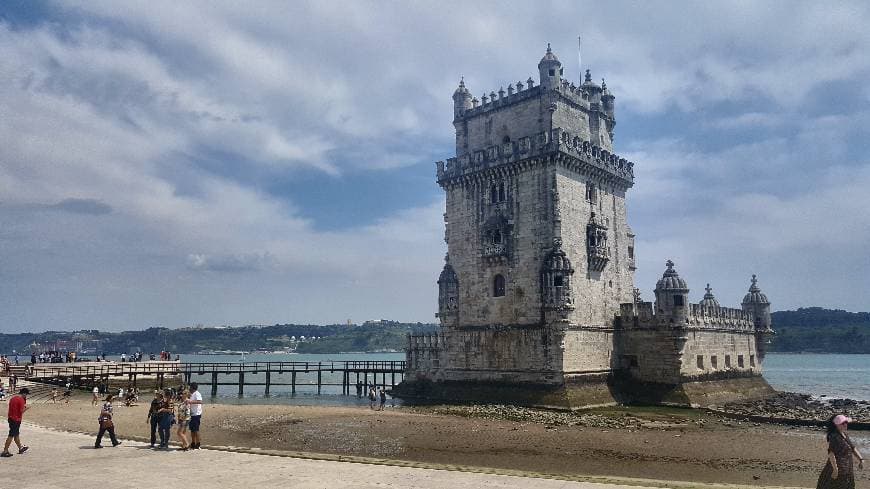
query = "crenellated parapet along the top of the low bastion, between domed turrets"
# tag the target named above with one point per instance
(643, 315)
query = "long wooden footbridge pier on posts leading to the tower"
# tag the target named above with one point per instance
(242, 374)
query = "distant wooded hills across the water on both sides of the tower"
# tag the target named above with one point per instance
(811, 329)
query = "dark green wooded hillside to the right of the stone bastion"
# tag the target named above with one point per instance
(814, 329)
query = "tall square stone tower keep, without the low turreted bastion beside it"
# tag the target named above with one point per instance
(540, 255)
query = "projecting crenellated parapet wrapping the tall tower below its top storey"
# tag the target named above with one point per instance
(541, 144)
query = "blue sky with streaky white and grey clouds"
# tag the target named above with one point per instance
(179, 163)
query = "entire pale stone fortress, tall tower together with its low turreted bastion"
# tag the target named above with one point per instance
(537, 302)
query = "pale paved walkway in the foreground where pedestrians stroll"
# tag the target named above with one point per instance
(60, 459)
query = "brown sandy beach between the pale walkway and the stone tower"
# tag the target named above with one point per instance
(653, 443)
